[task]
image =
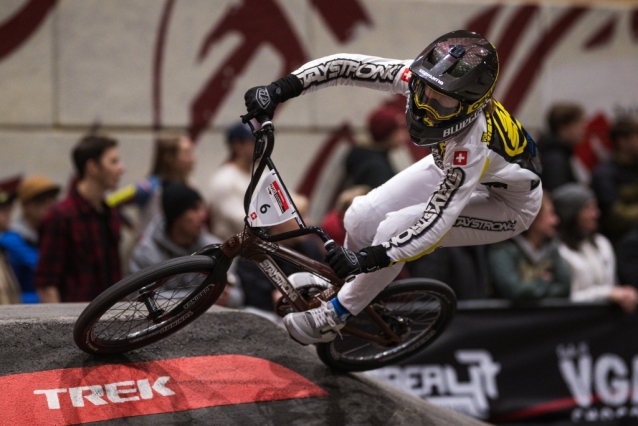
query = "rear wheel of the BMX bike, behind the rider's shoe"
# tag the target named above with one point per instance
(437, 304)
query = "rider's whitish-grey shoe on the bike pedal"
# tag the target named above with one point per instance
(319, 325)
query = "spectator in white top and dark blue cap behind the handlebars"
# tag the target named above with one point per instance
(228, 184)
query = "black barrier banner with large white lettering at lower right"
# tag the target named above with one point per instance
(557, 364)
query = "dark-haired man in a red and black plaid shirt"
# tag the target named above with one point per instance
(79, 242)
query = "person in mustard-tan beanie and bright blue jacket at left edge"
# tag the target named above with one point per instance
(37, 194)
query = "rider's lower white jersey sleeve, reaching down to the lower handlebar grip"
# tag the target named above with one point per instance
(463, 166)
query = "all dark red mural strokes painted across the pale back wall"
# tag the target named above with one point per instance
(509, 27)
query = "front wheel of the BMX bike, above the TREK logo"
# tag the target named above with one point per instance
(182, 288)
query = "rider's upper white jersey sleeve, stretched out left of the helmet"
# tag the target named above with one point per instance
(390, 75)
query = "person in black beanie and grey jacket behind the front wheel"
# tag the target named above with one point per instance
(179, 231)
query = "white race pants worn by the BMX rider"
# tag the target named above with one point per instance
(399, 203)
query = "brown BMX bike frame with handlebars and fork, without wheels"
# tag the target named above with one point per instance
(257, 246)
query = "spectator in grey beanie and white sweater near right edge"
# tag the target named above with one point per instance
(590, 255)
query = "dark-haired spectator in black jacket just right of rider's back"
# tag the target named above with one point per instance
(566, 131)
